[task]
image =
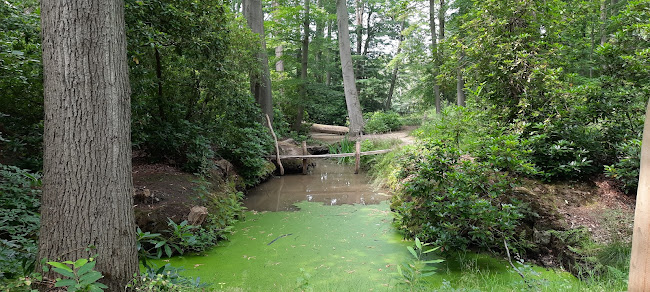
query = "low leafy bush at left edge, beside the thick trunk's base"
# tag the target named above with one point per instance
(19, 220)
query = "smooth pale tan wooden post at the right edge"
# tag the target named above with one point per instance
(640, 261)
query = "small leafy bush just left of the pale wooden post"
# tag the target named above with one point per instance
(627, 168)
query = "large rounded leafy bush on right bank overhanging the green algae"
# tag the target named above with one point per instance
(452, 202)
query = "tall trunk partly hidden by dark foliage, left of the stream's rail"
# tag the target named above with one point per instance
(260, 83)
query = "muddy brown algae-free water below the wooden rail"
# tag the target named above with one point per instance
(328, 182)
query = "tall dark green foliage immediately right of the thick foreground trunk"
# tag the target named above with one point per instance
(191, 100)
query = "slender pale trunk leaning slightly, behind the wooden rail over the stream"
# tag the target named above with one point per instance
(347, 68)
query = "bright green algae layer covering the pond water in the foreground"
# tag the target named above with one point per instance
(339, 247)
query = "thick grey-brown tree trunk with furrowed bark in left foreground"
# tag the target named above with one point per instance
(87, 185)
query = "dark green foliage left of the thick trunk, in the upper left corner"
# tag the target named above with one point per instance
(21, 84)
